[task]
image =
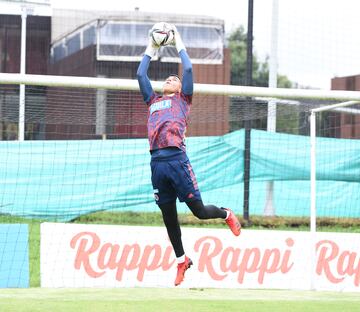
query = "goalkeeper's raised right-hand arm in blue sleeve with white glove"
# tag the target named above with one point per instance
(187, 75)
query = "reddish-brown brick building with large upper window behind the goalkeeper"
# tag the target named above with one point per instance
(103, 44)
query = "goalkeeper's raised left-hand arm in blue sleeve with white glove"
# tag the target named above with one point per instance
(142, 77)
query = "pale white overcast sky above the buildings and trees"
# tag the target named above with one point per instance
(317, 39)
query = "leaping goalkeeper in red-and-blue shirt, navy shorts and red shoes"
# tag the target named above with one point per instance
(171, 173)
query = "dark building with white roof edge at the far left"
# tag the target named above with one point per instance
(38, 39)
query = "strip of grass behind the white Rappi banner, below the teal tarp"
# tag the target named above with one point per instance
(155, 219)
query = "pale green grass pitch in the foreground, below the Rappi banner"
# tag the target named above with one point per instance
(170, 299)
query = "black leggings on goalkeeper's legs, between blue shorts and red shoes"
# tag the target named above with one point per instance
(169, 213)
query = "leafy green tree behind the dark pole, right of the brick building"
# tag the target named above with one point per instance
(237, 44)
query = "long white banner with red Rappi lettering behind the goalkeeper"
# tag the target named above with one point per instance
(75, 255)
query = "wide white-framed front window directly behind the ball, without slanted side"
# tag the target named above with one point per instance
(127, 41)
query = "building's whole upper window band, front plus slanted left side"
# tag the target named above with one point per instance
(126, 41)
